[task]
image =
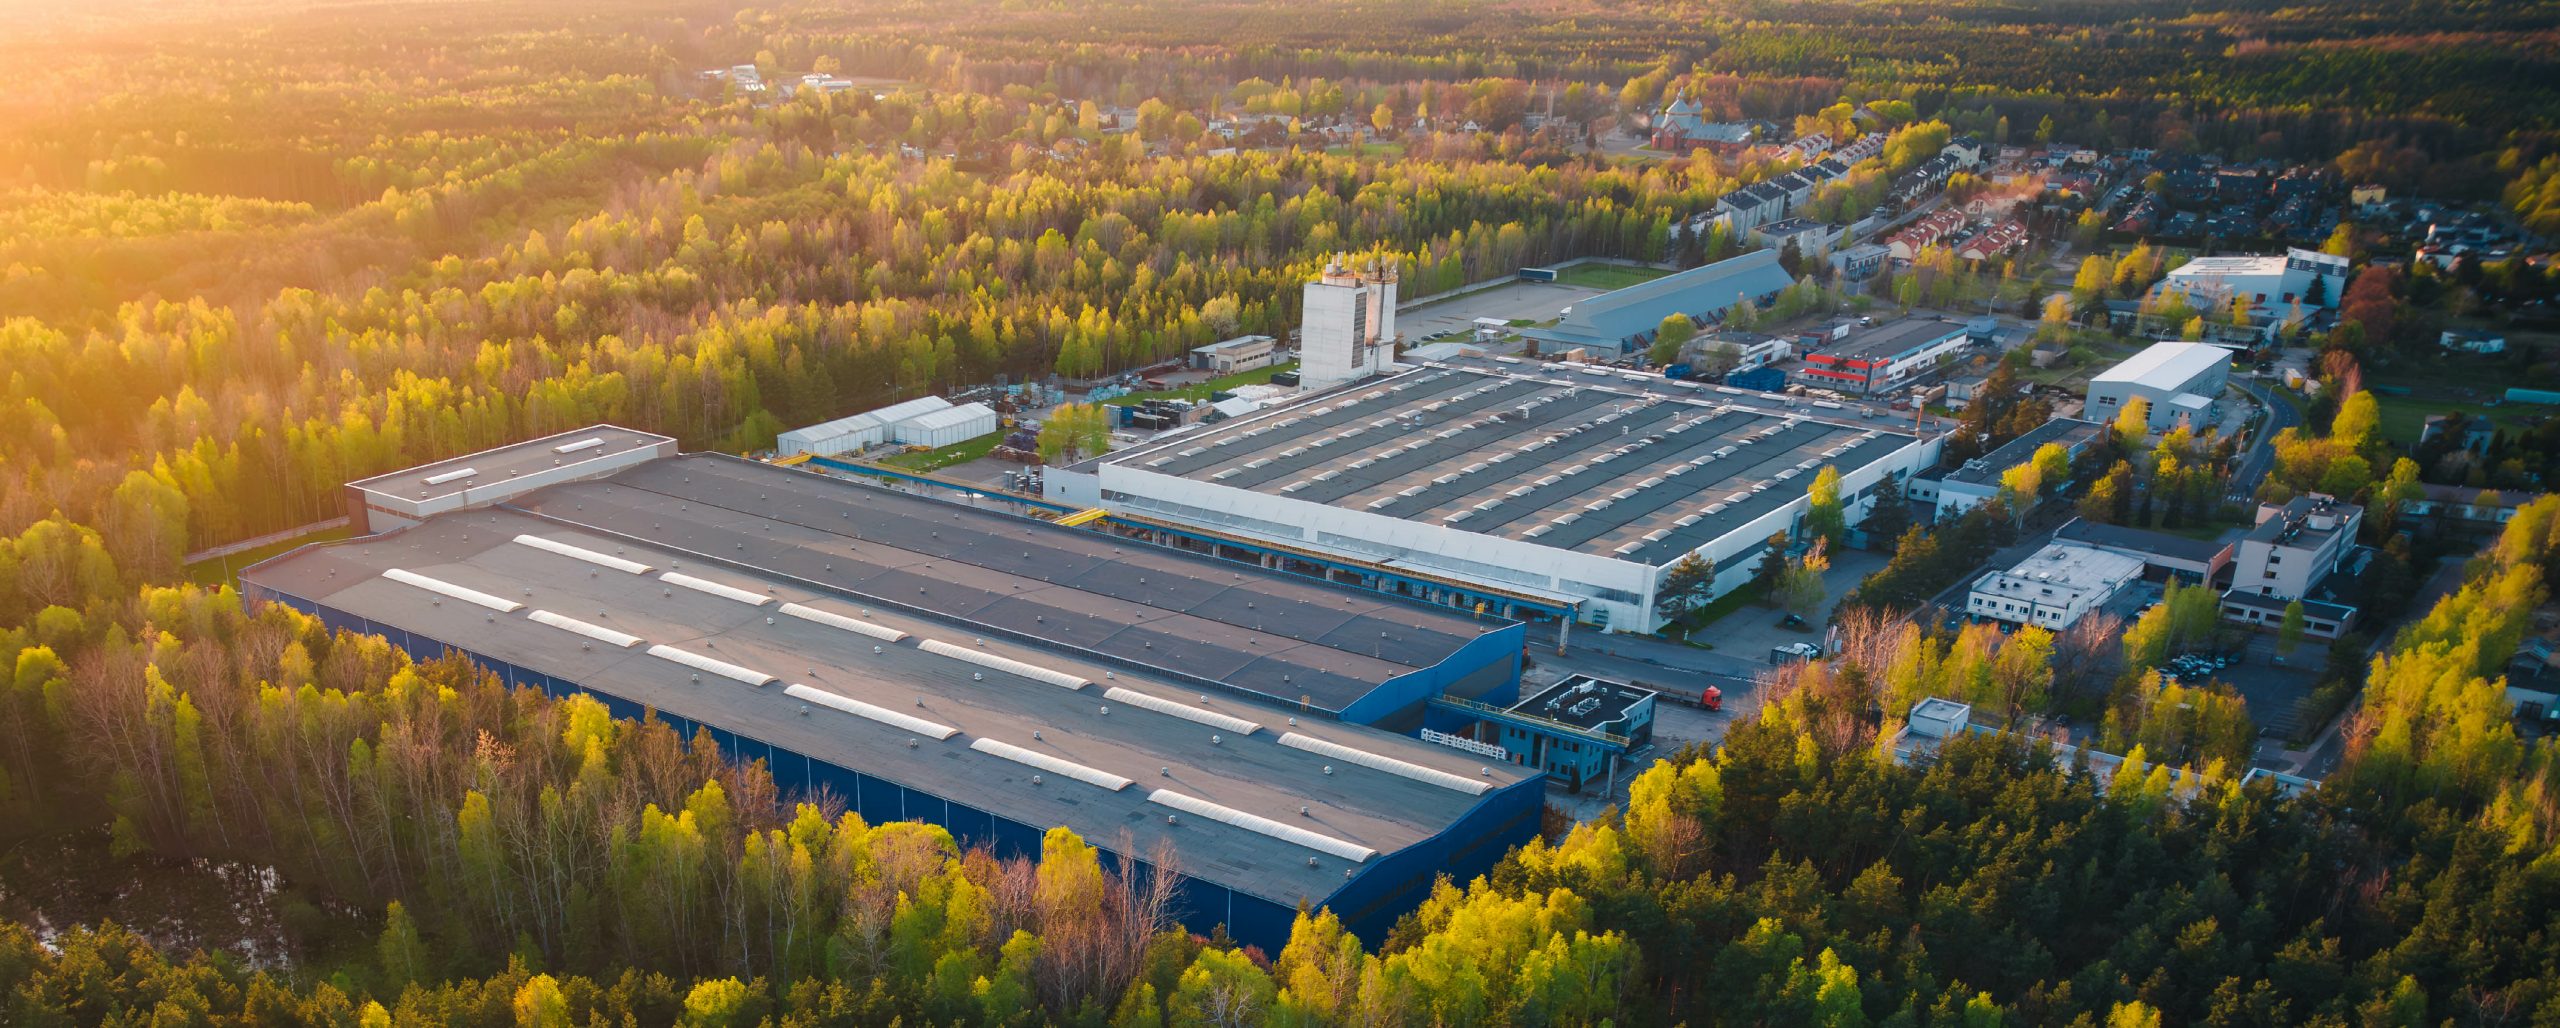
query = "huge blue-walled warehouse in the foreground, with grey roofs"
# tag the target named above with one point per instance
(997, 676)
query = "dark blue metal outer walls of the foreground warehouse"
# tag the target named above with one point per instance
(1368, 904)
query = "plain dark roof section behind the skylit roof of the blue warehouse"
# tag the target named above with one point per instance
(1192, 618)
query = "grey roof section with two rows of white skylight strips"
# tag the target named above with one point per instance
(910, 699)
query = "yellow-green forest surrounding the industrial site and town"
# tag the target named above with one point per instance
(257, 249)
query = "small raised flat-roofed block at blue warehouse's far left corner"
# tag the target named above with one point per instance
(408, 497)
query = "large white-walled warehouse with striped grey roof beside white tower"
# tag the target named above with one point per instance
(1537, 479)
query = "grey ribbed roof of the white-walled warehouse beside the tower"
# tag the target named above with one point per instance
(1568, 456)
